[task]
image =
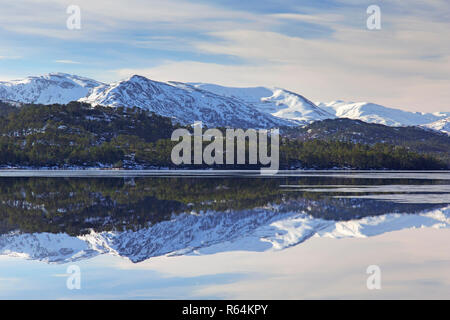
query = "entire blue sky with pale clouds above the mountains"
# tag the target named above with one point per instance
(321, 49)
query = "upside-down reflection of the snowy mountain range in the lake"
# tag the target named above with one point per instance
(212, 232)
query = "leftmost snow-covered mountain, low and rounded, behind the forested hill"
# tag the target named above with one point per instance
(47, 89)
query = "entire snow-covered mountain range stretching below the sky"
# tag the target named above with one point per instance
(215, 105)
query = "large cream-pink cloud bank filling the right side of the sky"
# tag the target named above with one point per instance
(391, 66)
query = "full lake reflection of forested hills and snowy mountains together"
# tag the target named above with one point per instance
(63, 220)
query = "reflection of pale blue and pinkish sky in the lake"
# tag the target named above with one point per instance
(413, 263)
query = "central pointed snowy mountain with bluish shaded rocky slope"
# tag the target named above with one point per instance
(182, 102)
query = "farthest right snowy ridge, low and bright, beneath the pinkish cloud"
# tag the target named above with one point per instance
(375, 113)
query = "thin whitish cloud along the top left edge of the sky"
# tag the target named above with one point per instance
(101, 17)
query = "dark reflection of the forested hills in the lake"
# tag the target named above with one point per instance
(75, 205)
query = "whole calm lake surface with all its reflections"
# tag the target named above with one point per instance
(205, 234)
